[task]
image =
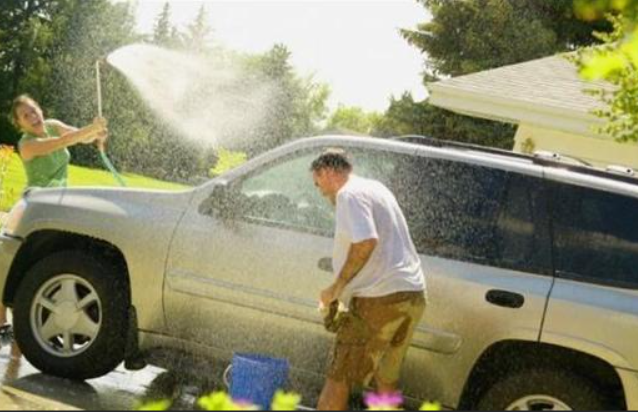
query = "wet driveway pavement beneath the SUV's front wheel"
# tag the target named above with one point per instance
(24, 387)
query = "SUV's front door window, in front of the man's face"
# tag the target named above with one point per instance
(284, 194)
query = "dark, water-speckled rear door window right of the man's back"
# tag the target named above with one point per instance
(467, 212)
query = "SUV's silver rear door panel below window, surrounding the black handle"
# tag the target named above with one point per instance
(460, 325)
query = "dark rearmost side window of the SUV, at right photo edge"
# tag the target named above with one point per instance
(595, 235)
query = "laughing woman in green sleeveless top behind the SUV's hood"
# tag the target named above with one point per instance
(44, 143)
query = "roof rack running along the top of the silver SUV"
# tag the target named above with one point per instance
(541, 158)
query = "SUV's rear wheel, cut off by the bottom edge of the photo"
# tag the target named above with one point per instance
(574, 391)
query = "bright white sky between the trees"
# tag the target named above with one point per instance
(352, 45)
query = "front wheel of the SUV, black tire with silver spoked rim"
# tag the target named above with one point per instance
(101, 354)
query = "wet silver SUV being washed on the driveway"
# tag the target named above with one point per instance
(532, 268)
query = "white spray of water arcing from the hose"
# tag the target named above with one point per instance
(203, 98)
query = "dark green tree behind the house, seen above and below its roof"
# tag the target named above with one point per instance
(466, 36)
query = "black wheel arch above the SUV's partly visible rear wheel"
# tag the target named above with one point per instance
(515, 356)
